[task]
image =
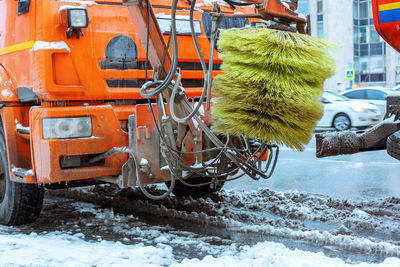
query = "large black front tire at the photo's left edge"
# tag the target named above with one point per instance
(19, 203)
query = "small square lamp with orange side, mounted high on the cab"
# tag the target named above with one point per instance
(73, 17)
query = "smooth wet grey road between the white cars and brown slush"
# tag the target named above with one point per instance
(360, 176)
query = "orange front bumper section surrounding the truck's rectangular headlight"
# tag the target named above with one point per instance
(63, 160)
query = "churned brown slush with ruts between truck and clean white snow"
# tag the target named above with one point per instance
(348, 230)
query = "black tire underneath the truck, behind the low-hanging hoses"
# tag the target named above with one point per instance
(181, 190)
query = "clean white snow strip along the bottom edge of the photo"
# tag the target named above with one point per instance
(65, 249)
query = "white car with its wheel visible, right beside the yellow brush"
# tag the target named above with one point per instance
(342, 113)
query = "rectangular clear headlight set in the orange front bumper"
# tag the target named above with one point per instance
(57, 128)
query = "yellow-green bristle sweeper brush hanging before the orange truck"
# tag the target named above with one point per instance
(272, 85)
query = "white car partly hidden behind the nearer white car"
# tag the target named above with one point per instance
(372, 95)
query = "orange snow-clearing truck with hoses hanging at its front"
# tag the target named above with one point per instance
(70, 79)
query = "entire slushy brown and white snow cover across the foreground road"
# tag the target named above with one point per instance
(262, 227)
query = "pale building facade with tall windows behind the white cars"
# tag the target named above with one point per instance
(350, 24)
